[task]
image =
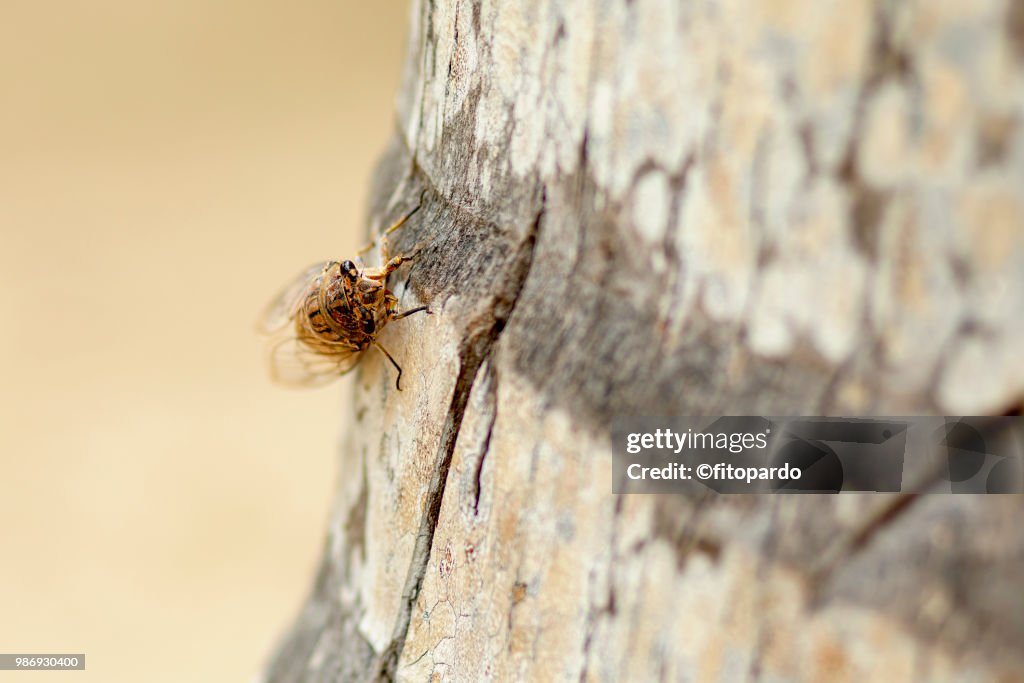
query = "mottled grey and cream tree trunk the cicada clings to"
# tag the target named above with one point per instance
(679, 208)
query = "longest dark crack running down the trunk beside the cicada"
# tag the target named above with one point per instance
(477, 349)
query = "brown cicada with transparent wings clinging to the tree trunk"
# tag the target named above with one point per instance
(329, 316)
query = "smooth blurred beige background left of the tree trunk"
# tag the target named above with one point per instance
(165, 167)
